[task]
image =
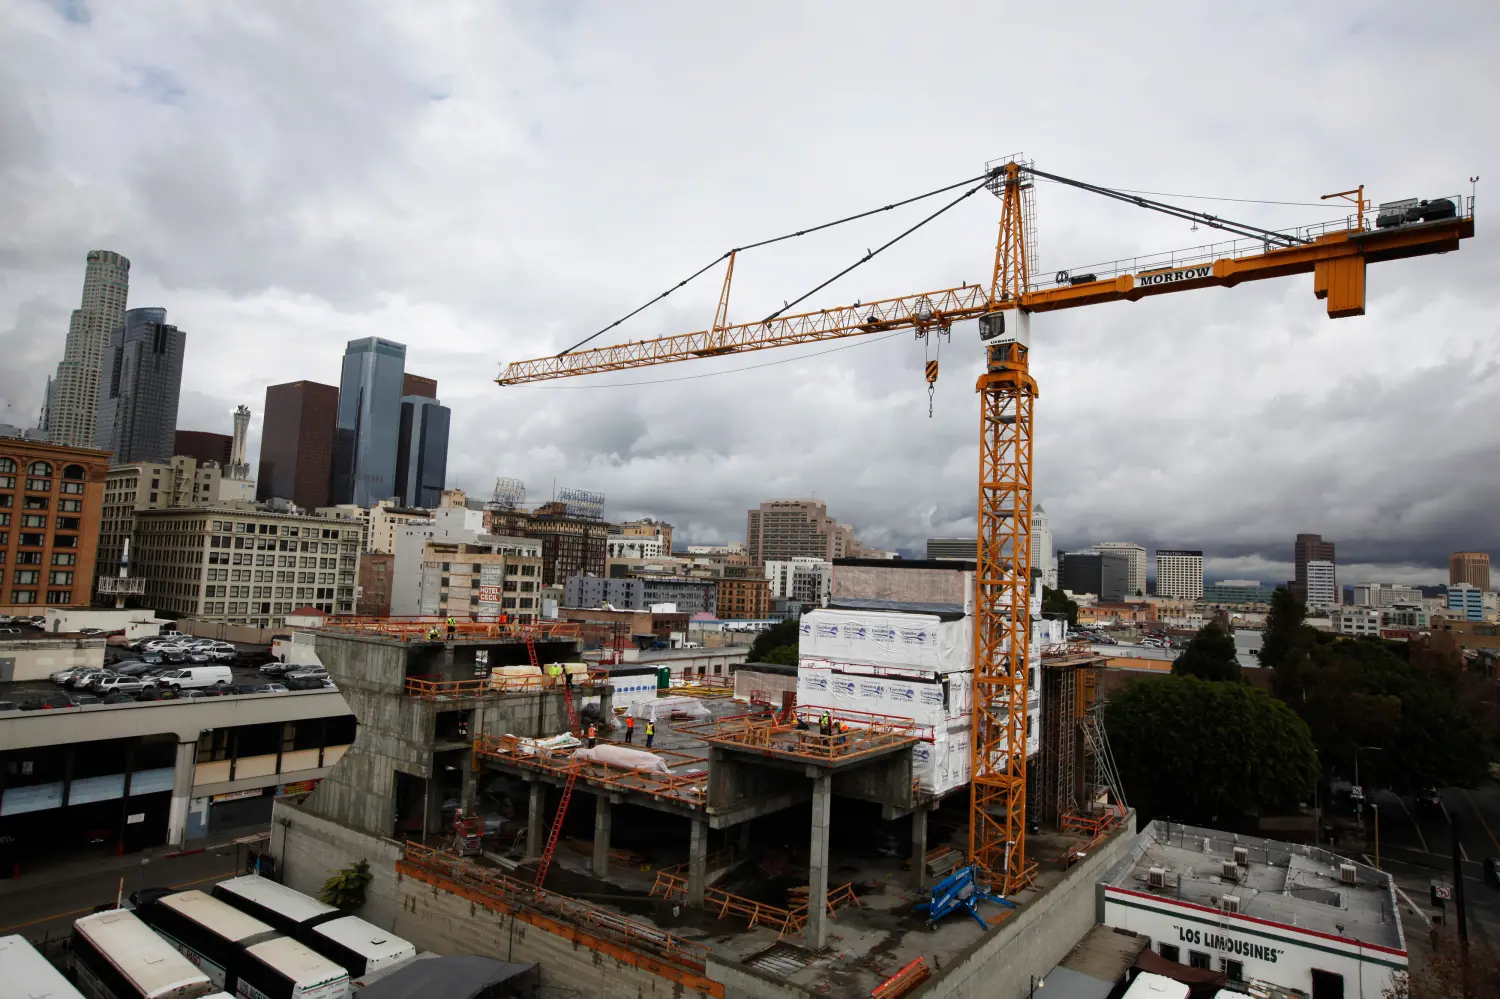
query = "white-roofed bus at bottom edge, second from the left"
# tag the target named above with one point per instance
(116, 956)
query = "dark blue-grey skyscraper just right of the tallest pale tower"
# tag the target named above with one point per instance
(142, 379)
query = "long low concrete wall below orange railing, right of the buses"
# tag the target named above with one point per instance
(446, 923)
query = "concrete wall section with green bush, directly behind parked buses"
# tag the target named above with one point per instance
(308, 850)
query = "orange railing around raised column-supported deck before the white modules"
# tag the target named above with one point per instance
(803, 737)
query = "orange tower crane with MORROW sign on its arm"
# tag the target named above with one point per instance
(1336, 254)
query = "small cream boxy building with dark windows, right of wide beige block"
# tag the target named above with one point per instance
(482, 580)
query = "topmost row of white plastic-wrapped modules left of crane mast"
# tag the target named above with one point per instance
(878, 638)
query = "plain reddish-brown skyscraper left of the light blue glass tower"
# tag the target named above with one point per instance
(298, 434)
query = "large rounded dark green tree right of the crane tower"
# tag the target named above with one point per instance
(1205, 752)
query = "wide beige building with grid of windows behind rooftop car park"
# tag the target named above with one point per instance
(245, 565)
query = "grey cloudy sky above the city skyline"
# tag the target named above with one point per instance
(490, 182)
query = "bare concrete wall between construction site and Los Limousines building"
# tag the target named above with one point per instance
(1001, 965)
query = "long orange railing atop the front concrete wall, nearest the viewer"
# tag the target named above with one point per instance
(518, 895)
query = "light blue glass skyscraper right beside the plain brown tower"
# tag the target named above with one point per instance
(370, 422)
